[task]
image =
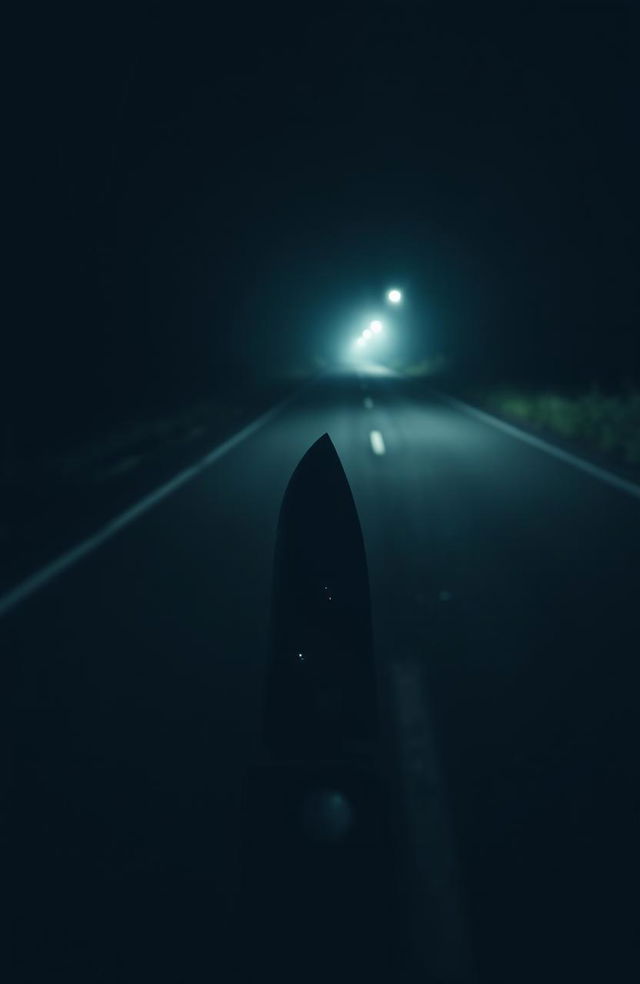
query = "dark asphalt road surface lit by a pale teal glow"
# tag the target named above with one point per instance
(505, 597)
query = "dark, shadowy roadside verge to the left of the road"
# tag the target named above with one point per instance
(50, 497)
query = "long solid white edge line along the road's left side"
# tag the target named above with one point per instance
(52, 570)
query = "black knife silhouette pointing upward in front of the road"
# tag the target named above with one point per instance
(317, 891)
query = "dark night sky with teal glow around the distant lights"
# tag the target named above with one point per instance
(212, 197)
